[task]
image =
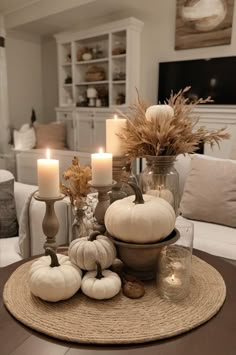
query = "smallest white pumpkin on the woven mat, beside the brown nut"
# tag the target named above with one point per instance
(101, 284)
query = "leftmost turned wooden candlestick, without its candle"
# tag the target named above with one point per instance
(50, 222)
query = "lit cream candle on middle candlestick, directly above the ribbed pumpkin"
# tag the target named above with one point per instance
(101, 168)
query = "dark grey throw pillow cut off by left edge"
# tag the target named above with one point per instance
(8, 220)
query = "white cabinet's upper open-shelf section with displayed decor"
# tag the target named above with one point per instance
(104, 58)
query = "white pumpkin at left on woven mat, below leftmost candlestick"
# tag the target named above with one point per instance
(54, 278)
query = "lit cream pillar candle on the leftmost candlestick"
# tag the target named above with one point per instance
(48, 177)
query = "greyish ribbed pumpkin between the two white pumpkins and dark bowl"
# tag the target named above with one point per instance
(85, 251)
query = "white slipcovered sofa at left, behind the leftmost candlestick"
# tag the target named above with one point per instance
(30, 214)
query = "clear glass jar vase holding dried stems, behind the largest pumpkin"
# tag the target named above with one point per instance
(161, 179)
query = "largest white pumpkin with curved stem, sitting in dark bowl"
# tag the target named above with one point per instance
(145, 219)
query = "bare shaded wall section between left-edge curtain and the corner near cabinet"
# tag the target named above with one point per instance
(24, 66)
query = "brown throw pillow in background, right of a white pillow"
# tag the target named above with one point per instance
(51, 135)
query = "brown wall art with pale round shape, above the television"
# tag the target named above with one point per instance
(203, 23)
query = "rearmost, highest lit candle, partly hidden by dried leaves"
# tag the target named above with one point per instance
(113, 142)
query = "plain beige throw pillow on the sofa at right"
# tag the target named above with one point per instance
(210, 191)
